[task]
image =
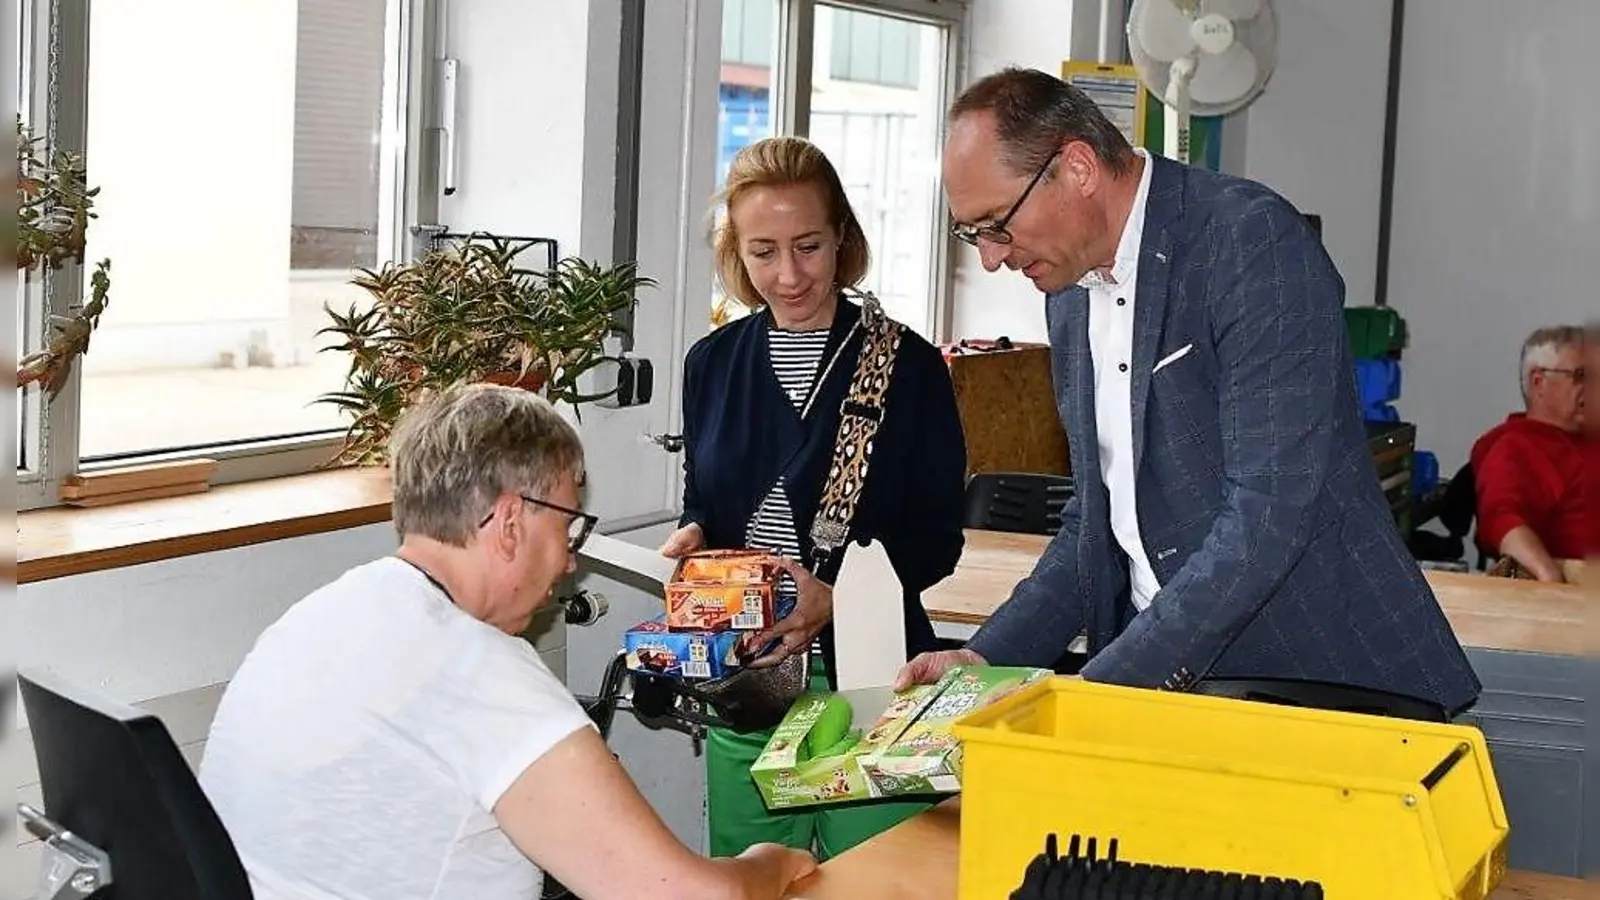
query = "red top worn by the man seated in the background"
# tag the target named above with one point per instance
(1530, 473)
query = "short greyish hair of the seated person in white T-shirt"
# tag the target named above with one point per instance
(458, 451)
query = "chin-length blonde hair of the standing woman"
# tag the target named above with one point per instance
(780, 163)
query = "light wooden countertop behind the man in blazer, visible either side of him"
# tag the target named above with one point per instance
(1498, 614)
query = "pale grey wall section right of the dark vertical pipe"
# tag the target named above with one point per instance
(1497, 217)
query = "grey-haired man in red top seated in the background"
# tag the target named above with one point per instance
(1530, 470)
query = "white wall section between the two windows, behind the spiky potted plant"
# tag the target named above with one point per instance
(538, 155)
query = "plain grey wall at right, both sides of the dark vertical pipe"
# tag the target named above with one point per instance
(1497, 187)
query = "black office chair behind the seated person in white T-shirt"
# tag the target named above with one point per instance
(118, 790)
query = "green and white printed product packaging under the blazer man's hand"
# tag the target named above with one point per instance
(874, 765)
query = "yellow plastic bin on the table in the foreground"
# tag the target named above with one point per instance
(1366, 806)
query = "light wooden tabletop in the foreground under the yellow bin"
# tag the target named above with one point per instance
(918, 861)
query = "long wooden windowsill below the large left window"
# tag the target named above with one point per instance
(60, 542)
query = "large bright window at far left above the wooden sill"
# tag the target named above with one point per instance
(249, 158)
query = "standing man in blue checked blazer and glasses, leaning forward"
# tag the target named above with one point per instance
(1228, 521)
